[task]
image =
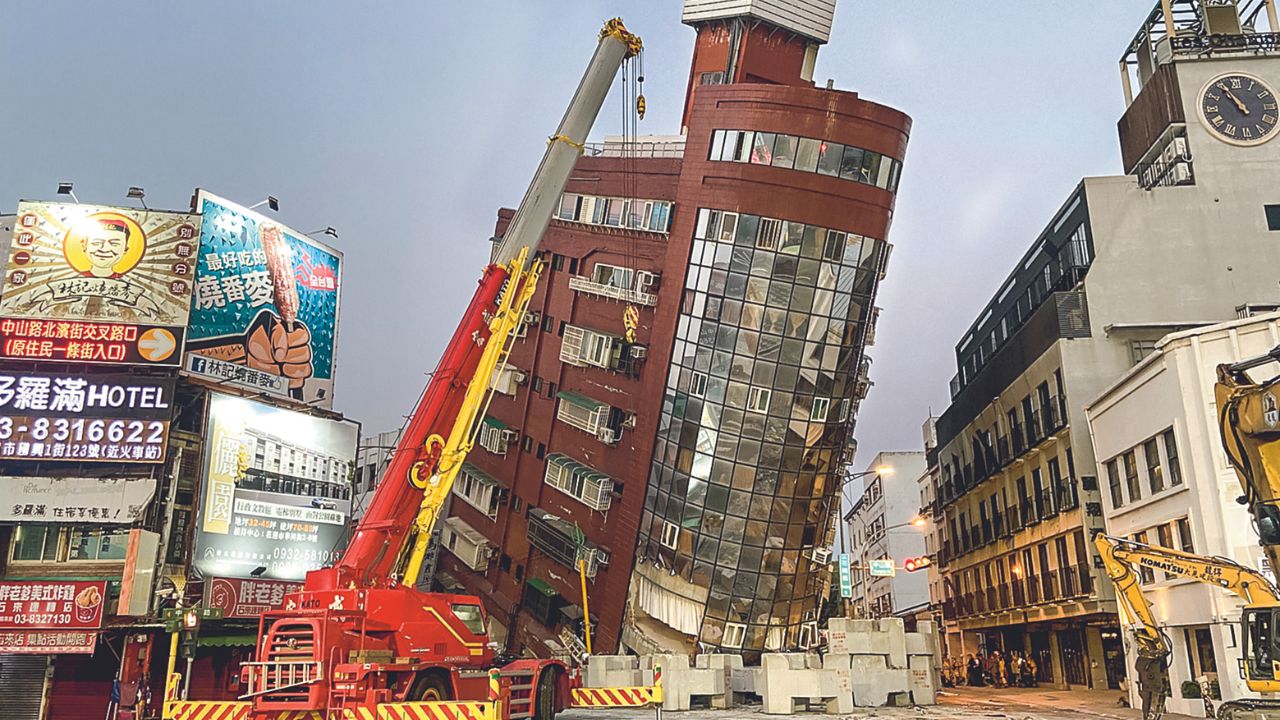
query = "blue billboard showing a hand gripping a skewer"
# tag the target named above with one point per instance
(267, 298)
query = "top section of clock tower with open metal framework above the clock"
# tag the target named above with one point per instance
(1200, 83)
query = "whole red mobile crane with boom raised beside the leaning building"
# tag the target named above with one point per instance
(362, 635)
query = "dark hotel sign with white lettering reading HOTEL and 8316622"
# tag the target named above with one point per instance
(85, 418)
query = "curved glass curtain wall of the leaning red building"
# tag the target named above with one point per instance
(756, 421)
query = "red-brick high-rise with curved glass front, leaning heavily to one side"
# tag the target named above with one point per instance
(692, 471)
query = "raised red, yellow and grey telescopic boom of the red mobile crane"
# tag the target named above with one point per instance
(417, 482)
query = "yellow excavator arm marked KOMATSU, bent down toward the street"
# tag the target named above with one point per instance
(1123, 558)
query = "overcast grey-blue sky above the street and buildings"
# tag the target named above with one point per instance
(408, 125)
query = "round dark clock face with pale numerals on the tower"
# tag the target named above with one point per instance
(1240, 110)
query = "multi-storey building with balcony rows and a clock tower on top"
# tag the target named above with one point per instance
(1186, 238)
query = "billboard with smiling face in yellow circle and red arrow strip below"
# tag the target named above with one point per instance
(98, 284)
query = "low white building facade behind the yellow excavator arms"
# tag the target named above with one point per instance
(1167, 482)
